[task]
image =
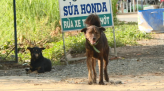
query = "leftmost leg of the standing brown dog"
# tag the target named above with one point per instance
(89, 65)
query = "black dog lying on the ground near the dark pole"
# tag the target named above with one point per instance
(38, 62)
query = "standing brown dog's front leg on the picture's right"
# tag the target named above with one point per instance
(101, 71)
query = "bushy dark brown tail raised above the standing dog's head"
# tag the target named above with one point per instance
(93, 19)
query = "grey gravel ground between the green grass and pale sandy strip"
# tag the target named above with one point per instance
(133, 60)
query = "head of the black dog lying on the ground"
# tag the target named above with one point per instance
(35, 52)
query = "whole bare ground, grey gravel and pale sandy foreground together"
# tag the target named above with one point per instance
(139, 68)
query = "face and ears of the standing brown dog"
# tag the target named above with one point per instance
(93, 33)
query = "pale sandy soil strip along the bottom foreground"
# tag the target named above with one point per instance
(129, 83)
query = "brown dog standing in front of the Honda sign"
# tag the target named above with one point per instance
(96, 48)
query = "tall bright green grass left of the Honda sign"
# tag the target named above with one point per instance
(34, 17)
